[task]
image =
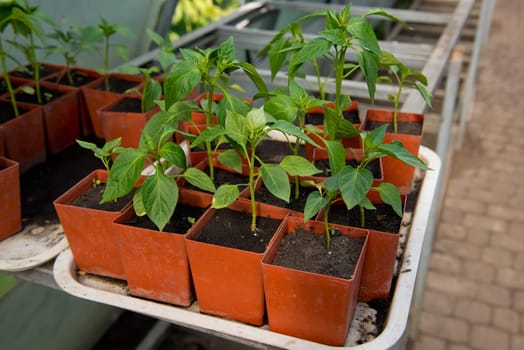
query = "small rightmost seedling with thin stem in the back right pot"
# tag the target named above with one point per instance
(403, 76)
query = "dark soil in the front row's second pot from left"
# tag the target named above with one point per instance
(180, 221)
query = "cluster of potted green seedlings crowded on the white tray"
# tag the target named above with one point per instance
(188, 207)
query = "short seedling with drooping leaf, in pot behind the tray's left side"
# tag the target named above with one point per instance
(152, 89)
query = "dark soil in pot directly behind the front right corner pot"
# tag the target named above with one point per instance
(382, 219)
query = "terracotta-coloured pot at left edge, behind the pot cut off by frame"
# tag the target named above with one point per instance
(24, 136)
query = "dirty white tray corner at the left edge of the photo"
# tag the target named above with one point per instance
(31, 247)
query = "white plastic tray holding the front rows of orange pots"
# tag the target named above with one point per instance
(115, 293)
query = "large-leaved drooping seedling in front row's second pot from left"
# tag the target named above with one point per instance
(157, 196)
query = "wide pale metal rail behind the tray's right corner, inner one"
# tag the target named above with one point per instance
(436, 64)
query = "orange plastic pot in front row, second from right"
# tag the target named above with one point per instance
(228, 281)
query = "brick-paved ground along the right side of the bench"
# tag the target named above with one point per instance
(474, 295)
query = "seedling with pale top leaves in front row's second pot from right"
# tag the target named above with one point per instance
(245, 134)
